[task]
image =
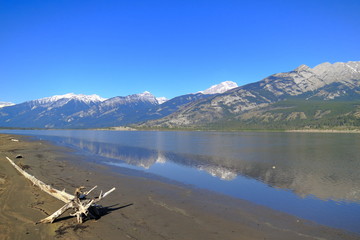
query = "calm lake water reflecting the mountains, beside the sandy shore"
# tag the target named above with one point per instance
(315, 176)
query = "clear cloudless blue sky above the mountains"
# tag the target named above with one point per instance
(170, 48)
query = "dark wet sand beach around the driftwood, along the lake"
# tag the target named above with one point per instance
(140, 208)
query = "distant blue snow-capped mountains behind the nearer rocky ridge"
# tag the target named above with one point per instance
(92, 111)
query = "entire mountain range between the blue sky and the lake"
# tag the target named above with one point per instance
(327, 95)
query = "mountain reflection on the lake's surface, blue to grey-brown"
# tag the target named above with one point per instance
(326, 172)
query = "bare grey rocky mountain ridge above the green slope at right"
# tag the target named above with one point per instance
(325, 82)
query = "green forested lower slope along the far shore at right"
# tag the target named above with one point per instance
(291, 114)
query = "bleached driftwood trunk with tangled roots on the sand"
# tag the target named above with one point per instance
(82, 207)
